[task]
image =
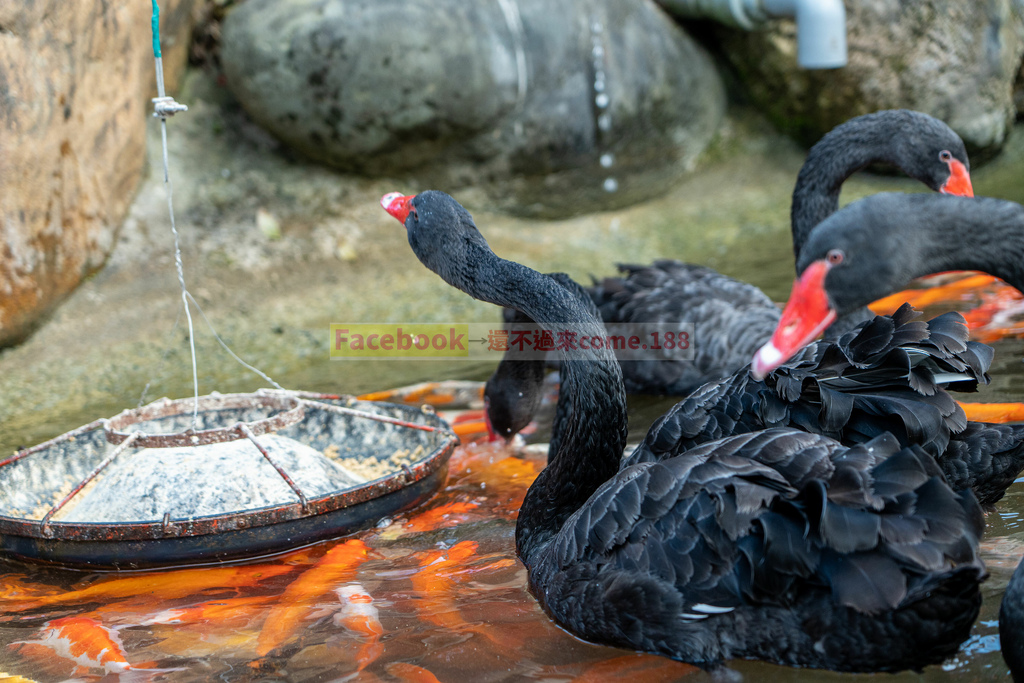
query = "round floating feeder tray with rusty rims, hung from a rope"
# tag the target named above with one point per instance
(261, 474)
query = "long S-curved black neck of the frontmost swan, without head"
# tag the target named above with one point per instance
(591, 418)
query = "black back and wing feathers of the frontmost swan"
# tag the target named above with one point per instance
(779, 520)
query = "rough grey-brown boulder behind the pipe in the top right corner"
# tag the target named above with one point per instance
(956, 60)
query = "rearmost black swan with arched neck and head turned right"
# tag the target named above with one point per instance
(733, 319)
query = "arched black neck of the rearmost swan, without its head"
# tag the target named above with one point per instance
(844, 151)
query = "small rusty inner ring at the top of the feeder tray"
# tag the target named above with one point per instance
(292, 410)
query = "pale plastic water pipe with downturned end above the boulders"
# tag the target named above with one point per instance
(821, 24)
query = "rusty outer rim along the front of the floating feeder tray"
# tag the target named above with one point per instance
(233, 522)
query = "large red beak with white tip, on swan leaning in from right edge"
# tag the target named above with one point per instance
(806, 316)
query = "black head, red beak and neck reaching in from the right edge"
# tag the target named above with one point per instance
(878, 245)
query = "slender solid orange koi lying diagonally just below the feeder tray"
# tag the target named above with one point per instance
(338, 566)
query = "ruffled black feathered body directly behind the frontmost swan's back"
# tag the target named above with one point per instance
(889, 375)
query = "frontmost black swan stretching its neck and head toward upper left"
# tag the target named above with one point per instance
(780, 545)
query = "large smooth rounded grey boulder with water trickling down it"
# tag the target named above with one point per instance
(554, 107)
